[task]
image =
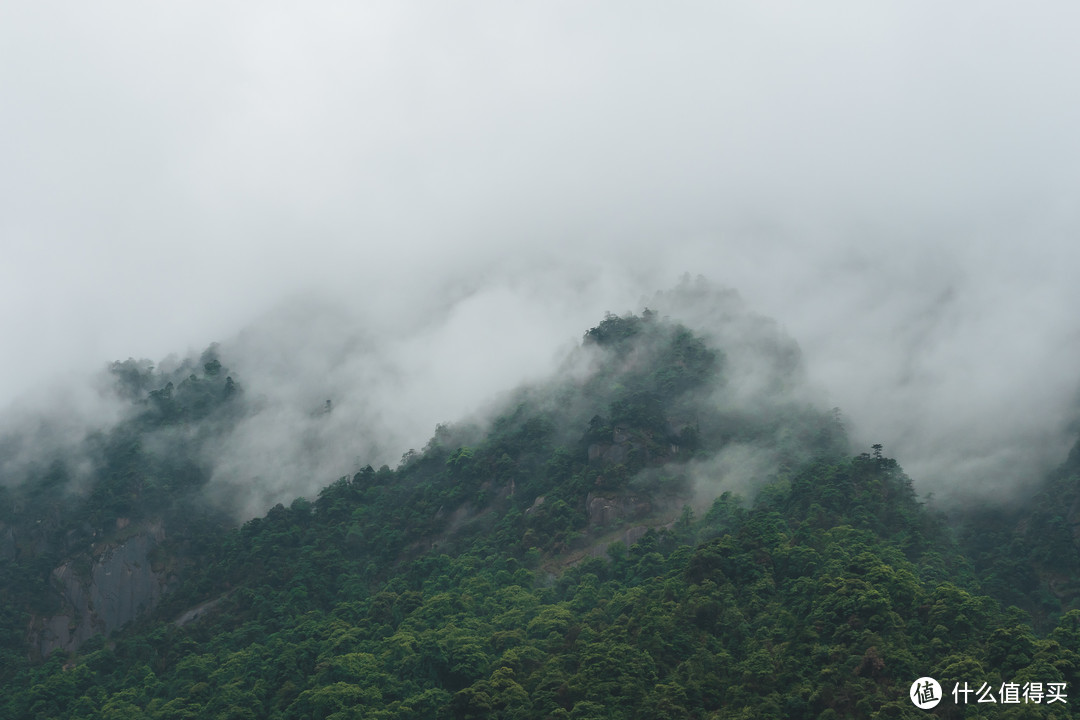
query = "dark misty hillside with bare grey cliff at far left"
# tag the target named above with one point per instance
(98, 532)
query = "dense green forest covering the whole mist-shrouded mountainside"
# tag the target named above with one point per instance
(639, 538)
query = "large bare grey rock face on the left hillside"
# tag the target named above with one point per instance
(121, 586)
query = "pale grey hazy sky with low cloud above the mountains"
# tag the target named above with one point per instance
(896, 184)
